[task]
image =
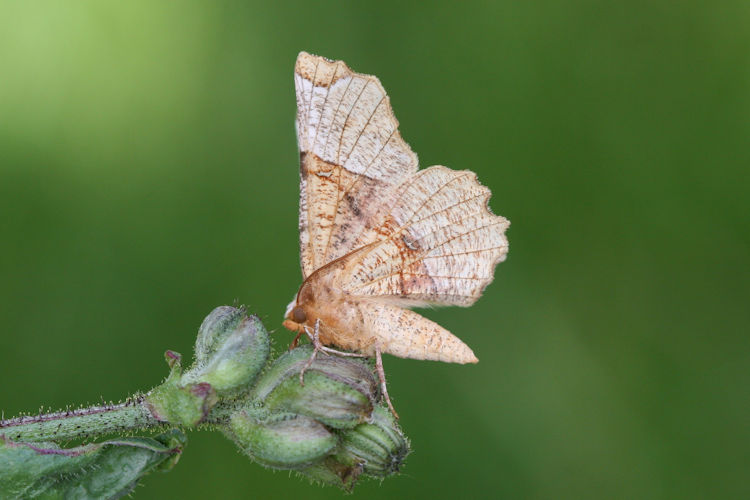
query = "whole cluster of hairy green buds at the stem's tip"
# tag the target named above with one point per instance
(331, 429)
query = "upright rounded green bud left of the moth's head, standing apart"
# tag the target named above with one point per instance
(232, 348)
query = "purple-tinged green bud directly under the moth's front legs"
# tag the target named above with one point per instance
(338, 392)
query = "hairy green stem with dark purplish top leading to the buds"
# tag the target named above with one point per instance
(81, 423)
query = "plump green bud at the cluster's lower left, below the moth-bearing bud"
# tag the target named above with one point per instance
(281, 440)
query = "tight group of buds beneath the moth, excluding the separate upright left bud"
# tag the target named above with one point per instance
(330, 429)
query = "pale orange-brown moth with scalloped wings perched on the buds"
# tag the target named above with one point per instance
(378, 236)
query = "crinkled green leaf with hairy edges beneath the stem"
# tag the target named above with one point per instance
(109, 469)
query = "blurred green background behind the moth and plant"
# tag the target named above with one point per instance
(148, 173)
